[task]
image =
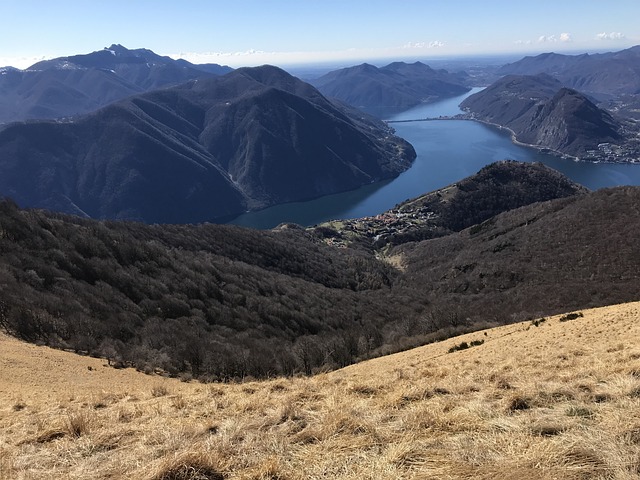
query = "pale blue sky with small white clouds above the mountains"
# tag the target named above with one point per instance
(289, 32)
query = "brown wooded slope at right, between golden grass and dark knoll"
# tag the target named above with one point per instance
(542, 258)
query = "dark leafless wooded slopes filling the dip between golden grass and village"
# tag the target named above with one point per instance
(220, 301)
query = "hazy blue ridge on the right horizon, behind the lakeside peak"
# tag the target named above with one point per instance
(606, 73)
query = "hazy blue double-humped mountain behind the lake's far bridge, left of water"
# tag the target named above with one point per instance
(397, 86)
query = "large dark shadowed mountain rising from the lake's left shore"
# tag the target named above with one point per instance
(199, 151)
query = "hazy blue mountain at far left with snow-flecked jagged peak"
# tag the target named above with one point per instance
(79, 84)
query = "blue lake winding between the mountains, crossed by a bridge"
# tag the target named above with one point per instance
(447, 151)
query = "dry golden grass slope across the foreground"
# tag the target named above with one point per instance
(556, 401)
